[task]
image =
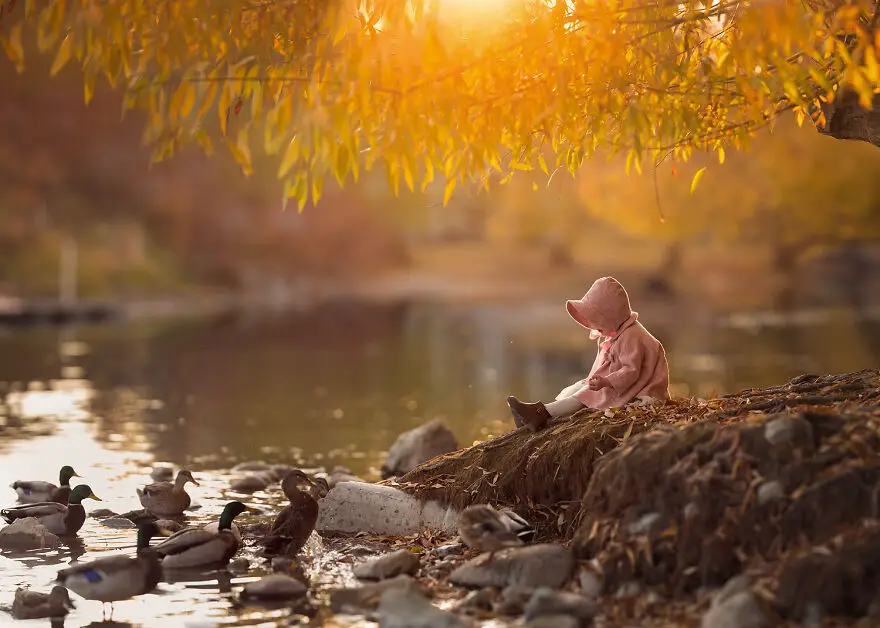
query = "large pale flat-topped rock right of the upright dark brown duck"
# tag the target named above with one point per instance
(382, 510)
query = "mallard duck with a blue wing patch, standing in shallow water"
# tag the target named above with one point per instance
(117, 578)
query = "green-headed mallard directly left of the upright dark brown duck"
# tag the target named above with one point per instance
(198, 547)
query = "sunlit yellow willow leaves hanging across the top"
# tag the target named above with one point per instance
(431, 89)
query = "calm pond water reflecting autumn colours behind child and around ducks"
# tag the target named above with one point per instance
(334, 386)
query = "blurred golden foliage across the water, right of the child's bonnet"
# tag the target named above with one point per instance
(795, 190)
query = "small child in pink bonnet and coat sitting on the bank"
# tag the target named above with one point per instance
(631, 362)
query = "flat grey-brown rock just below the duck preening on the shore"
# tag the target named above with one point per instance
(531, 566)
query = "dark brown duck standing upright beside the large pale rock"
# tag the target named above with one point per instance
(294, 524)
